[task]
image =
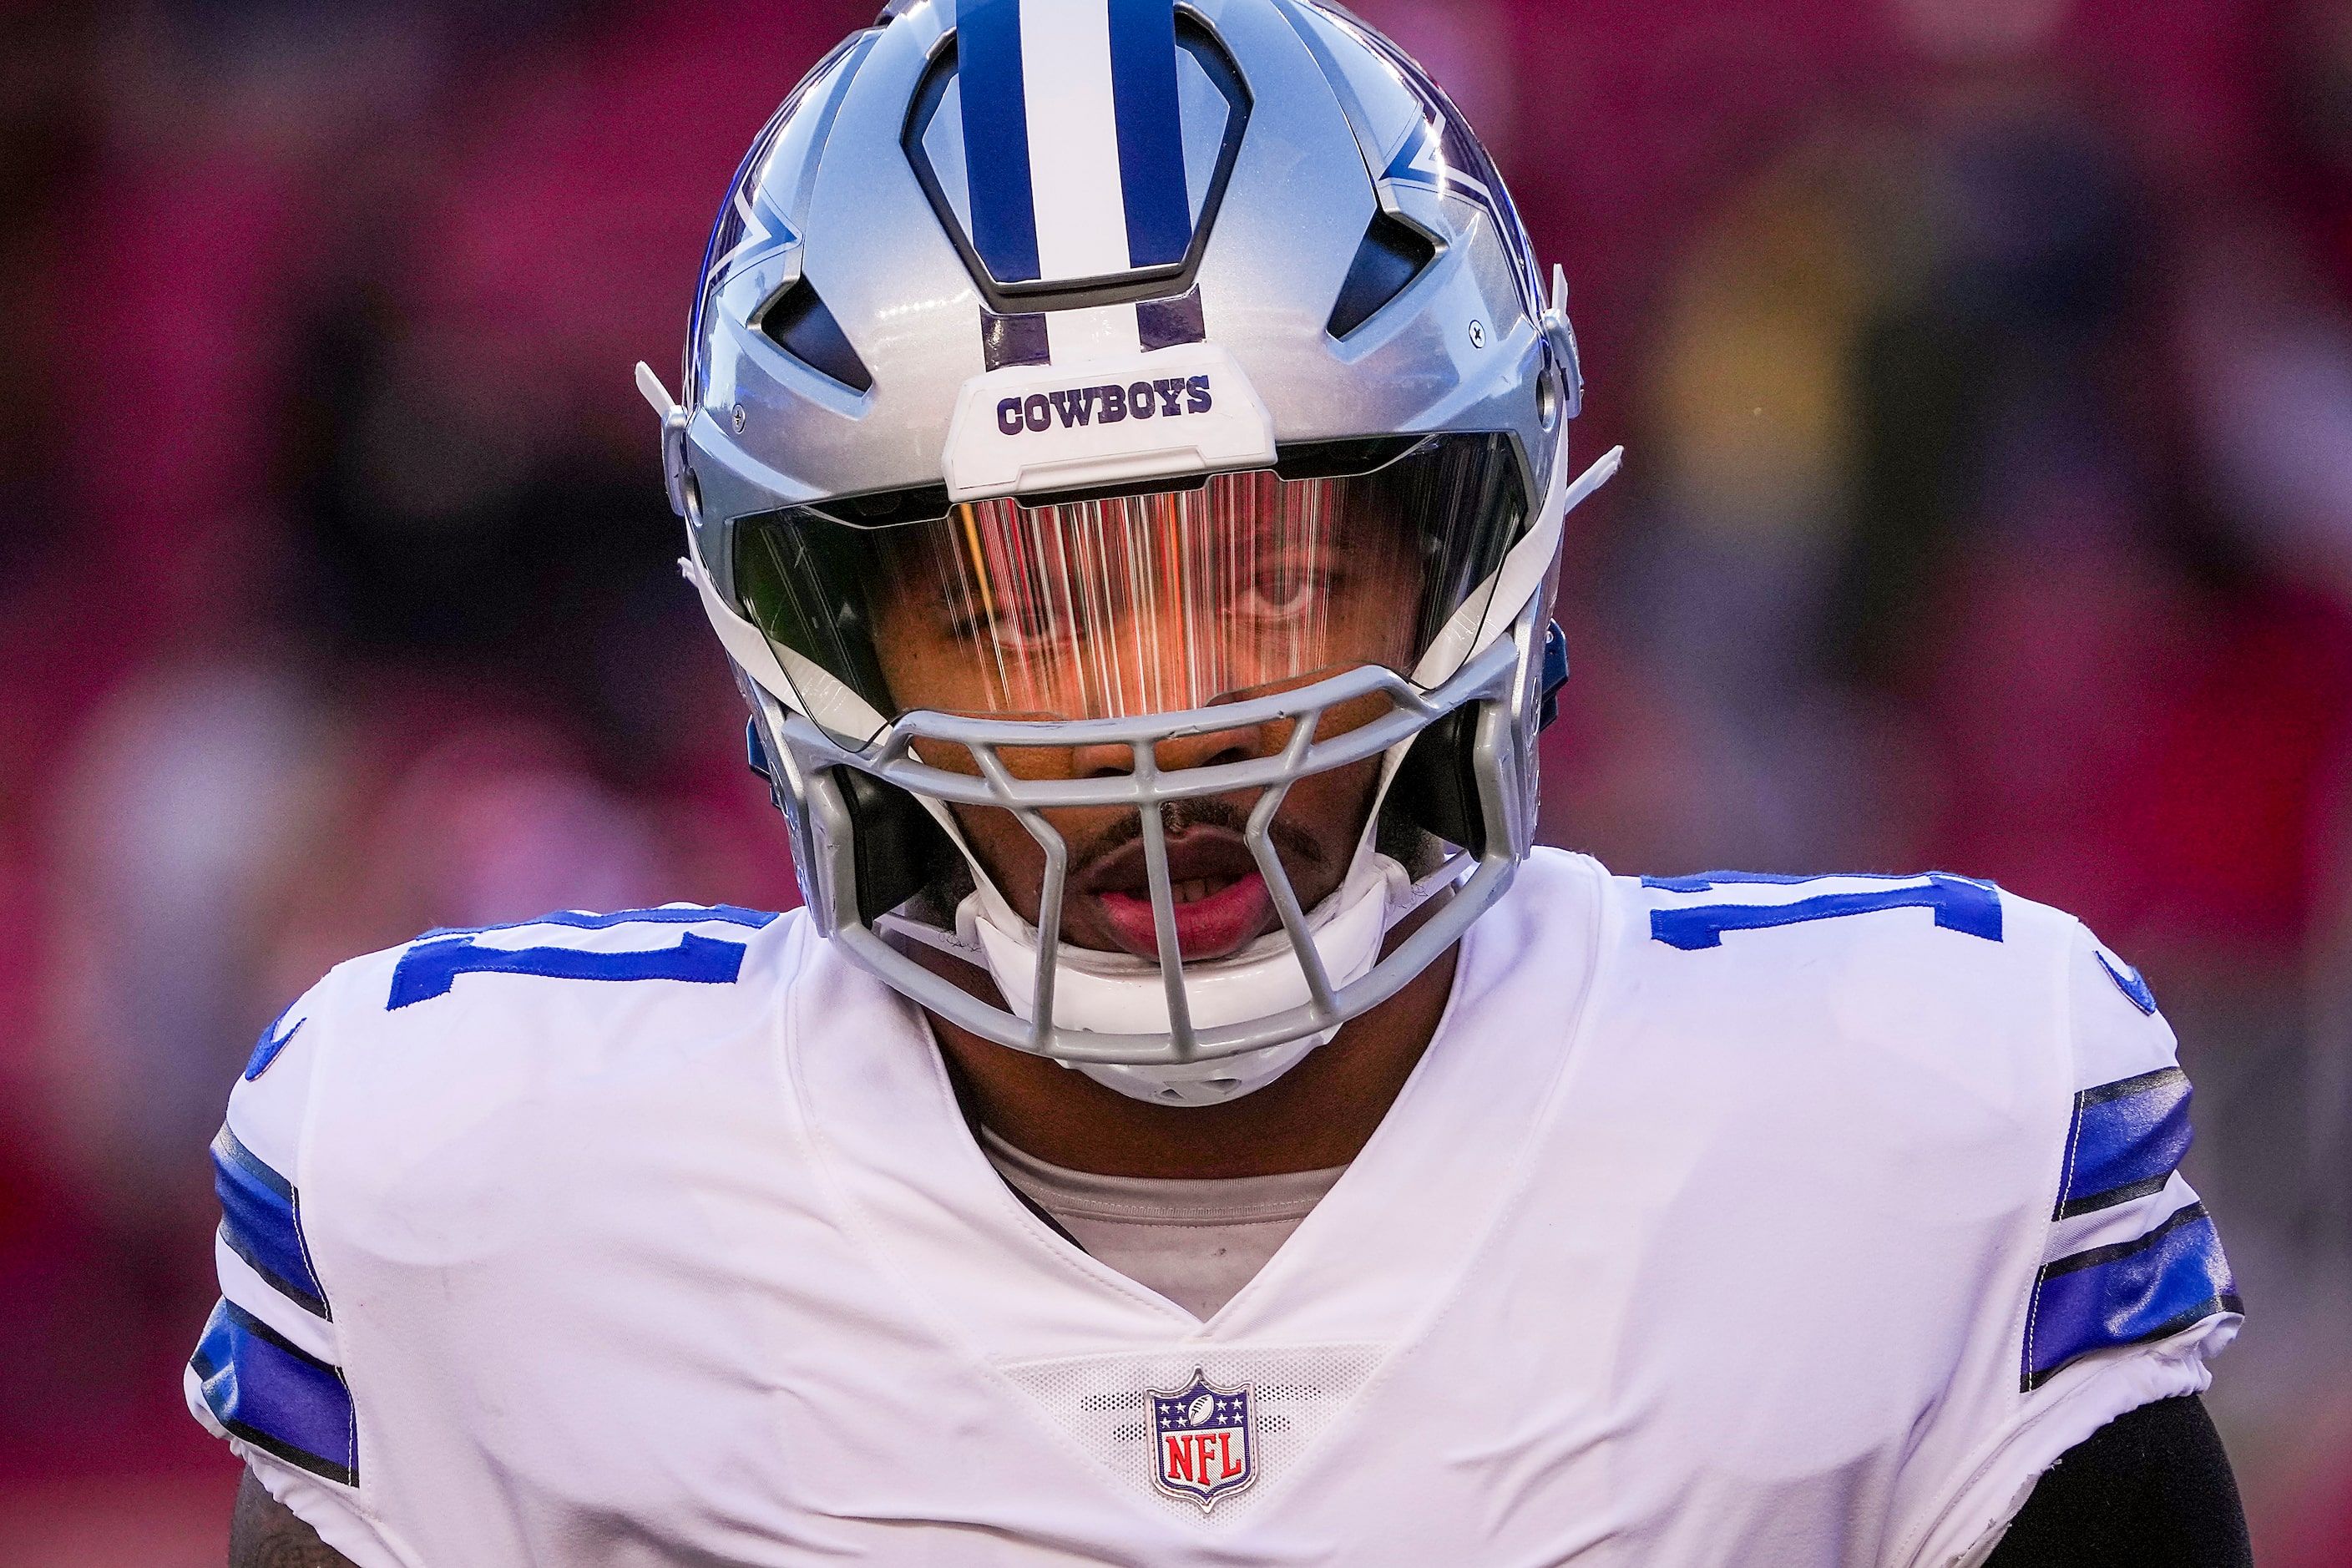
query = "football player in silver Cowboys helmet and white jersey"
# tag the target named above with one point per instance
(1123, 453)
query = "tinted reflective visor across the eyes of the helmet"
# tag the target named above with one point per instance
(1238, 584)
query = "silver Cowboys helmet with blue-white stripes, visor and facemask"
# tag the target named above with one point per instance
(1074, 380)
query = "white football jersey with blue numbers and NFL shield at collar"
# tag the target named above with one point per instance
(1725, 1221)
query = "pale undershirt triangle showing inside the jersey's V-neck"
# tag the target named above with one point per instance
(1194, 1242)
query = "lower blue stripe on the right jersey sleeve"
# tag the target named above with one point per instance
(2165, 1282)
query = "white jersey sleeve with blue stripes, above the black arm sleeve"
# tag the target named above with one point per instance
(2134, 1292)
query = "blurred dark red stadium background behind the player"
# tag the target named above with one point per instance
(1986, 380)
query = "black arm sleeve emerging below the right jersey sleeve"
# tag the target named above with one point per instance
(2151, 1489)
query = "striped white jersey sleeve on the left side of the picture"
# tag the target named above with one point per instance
(269, 1374)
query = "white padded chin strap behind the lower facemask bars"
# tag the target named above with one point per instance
(1116, 993)
